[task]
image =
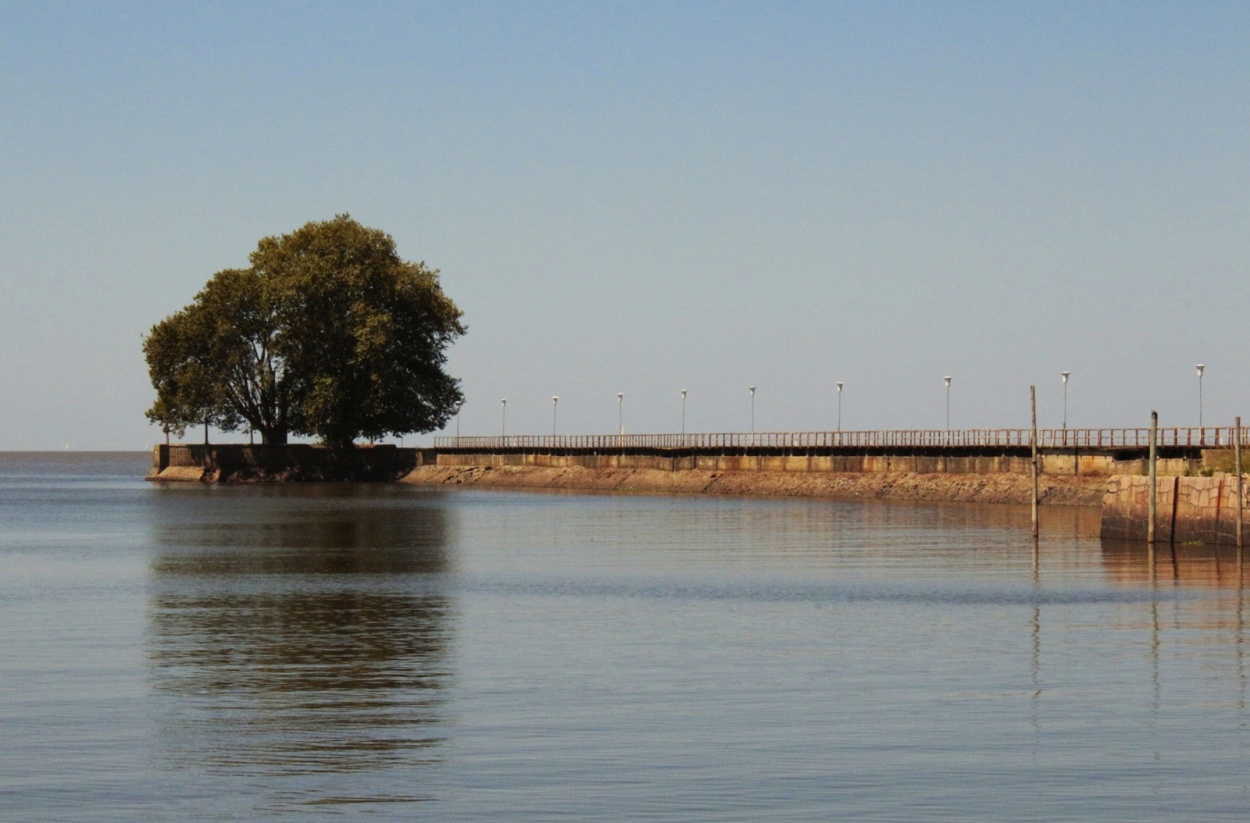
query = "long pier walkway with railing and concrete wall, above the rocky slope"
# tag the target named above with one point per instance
(1063, 452)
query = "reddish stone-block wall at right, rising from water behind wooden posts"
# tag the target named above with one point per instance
(1189, 510)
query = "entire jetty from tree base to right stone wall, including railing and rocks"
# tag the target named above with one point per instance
(1198, 496)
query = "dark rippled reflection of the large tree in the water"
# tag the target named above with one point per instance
(296, 631)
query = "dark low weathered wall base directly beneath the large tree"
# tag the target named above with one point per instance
(293, 463)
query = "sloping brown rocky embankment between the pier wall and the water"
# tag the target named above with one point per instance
(954, 488)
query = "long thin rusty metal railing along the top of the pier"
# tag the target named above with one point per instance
(1208, 437)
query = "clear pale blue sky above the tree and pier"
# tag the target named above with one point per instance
(643, 198)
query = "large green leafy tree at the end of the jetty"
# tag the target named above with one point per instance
(329, 333)
